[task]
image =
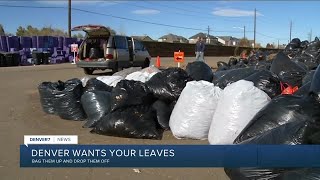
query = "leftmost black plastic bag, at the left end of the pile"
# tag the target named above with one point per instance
(47, 92)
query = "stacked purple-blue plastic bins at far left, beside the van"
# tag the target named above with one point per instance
(56, 48)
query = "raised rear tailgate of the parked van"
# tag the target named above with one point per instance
(93, 30)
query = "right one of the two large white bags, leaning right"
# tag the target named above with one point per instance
(238, 103)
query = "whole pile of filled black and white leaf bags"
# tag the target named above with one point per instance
(245, 101)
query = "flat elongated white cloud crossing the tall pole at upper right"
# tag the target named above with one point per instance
(229, 12)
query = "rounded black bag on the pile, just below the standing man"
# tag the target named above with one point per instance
(199, 70)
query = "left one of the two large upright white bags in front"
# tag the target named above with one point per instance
(192, 115)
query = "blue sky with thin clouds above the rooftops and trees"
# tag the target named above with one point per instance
(225, 18)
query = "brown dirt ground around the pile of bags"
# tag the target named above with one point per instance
(21, 115)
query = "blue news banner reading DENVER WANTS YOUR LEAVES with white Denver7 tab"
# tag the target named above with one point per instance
(64, 151)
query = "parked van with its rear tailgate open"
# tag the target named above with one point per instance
(100, 50)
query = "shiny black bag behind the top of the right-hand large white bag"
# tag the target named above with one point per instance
(267, 82)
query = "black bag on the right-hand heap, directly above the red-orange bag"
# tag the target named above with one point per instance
(282, 63)
